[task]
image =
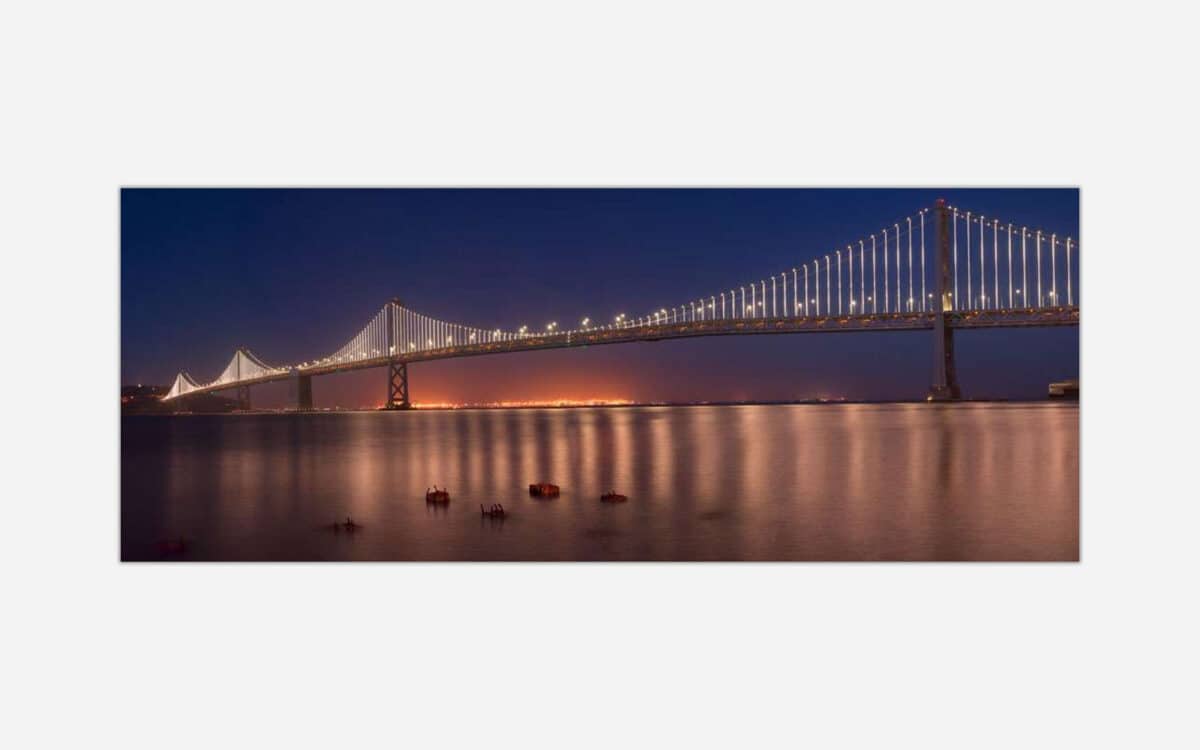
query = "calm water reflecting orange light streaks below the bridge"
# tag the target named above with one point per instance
(757, 483)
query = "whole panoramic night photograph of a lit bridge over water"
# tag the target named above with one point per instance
(599, 375)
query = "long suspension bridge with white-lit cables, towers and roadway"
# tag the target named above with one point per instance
(940, 269)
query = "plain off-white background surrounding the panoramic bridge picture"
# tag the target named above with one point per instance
(98, 95)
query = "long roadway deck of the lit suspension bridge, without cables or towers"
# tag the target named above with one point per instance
(1031, 317)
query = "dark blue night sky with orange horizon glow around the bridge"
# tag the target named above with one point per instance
(293, 274)
